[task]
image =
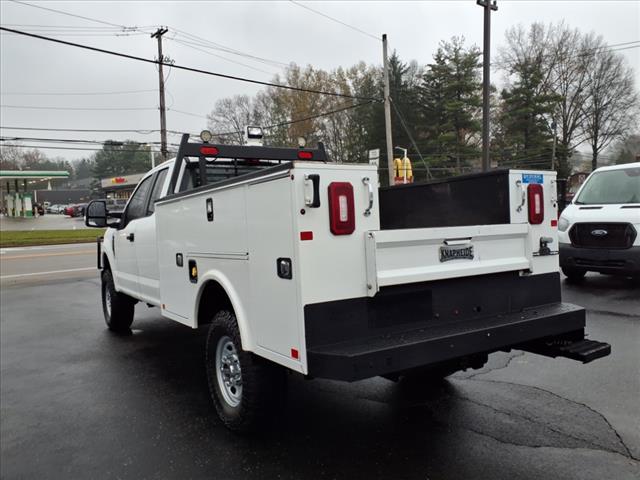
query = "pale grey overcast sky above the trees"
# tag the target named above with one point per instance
(277, 31)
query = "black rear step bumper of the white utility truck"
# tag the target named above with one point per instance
(552, 330)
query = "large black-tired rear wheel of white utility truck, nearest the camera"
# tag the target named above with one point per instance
(262, 382)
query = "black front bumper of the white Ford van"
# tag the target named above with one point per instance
(615, 261)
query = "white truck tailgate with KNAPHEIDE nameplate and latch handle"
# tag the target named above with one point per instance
(397, 257)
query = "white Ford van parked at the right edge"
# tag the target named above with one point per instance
(599, 230)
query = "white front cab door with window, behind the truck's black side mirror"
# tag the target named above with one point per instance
(126, 264)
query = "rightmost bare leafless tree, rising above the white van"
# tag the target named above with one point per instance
(611, 107)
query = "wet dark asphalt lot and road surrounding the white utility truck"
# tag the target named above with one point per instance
(79, 402)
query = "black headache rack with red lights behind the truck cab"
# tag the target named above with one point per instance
(204, 150)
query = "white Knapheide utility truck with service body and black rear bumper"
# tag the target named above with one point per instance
(299, 264)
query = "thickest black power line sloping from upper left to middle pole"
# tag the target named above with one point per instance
(188, 69)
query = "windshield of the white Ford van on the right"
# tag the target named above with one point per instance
(611, 186)
